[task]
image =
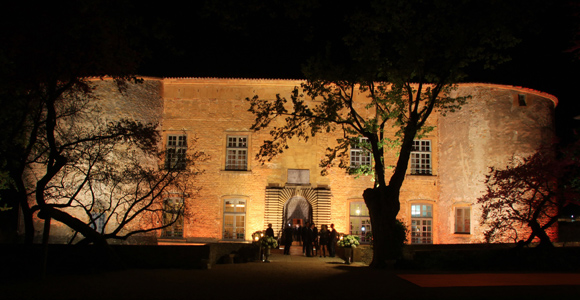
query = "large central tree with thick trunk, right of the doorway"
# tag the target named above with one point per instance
(391, 64)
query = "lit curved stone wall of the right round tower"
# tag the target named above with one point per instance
(492, 128)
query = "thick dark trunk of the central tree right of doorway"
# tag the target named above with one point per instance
(383, 205)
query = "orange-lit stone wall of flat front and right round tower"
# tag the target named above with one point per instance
(487, 131)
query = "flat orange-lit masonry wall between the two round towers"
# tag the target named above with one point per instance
(208, 110)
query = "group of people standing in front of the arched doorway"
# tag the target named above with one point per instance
(314, 242)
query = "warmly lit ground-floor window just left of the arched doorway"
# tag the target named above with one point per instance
(234, 219)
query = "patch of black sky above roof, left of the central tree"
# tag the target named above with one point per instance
(203, 46)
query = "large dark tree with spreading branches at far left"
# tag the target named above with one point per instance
(58, 157)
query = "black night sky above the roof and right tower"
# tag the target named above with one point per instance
(271, 47)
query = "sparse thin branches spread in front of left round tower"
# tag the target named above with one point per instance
(112, 174)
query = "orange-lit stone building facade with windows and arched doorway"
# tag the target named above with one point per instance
(239, 195)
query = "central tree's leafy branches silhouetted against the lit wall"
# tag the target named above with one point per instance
(336, 109)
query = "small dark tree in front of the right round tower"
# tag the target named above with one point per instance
(523, 201)
